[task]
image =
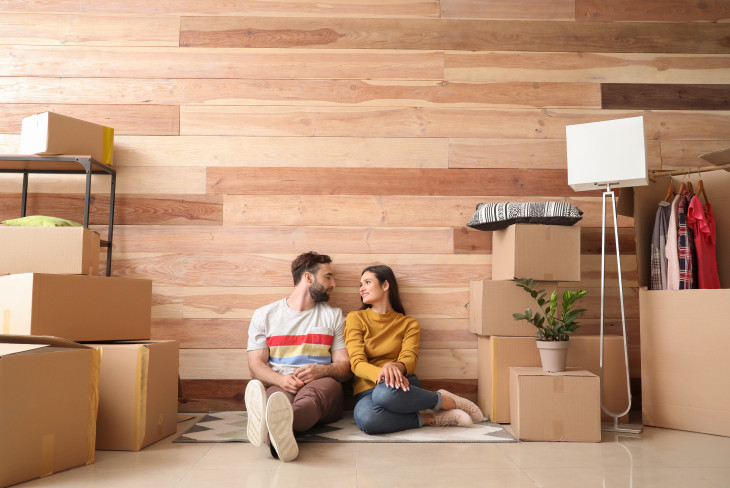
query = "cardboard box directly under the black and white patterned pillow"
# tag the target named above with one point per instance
(540, 252)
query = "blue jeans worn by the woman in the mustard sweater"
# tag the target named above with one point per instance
(383, 409)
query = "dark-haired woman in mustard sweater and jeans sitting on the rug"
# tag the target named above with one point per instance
(382, 342)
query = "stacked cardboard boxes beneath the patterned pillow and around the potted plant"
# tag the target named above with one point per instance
(511, 384)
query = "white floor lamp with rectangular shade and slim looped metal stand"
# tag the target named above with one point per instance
(609, 154)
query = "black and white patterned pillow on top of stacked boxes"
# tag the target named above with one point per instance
(495, 216)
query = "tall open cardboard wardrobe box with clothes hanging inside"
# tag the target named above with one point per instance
(684, 333)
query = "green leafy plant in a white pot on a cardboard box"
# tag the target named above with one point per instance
(554, 325)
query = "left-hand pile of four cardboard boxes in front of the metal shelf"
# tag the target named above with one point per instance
(78, 371)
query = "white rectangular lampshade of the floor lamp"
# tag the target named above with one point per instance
(611, 152)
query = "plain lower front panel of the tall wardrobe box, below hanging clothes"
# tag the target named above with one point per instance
(684, 360)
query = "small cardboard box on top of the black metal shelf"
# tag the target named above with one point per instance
(50, 133)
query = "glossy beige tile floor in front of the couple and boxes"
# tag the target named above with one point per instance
(657, 458)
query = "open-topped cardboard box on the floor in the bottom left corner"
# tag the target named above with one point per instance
(48, 405)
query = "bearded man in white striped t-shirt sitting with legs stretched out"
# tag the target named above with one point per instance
(297, 359)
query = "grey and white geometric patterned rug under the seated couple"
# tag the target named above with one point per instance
(231, 427)
